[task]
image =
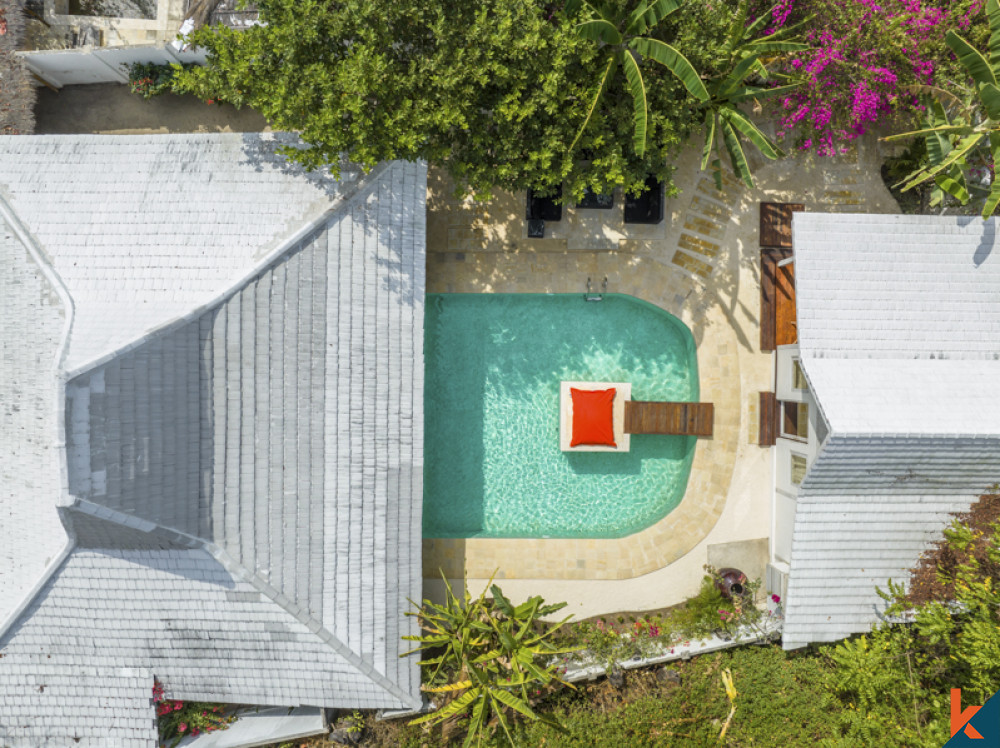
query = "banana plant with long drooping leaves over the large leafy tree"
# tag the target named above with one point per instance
(626, 43)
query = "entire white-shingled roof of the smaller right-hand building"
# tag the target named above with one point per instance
(899, 334)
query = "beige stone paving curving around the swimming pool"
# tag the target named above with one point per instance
(701, 264)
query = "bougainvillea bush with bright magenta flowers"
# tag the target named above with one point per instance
(868, 61)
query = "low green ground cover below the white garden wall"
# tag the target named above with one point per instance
(783, 700)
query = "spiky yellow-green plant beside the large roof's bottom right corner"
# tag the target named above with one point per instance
(487, 659)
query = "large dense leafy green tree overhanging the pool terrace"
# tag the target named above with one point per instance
(494, 91)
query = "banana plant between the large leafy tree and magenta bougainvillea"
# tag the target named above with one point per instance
(724, 122)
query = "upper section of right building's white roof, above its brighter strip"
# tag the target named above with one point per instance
(890, 286)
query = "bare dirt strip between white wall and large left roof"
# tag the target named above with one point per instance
(111, 109)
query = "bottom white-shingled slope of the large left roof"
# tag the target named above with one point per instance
(82, 662)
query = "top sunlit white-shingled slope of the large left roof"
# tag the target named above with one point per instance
(145, 229)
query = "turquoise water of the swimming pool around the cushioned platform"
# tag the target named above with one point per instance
(492, 464)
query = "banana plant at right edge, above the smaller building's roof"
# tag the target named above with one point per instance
(954, 144)
